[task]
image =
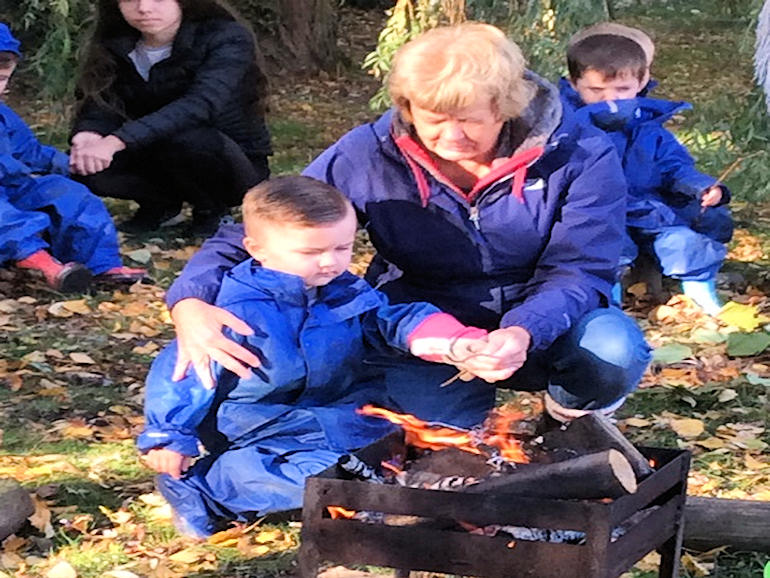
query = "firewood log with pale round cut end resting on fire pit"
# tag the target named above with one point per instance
(604, 474)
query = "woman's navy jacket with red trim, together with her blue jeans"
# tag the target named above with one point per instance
(535, 244)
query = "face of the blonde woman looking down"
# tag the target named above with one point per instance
(467, 134)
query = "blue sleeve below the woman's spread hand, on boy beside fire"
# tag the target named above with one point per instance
(173, 410)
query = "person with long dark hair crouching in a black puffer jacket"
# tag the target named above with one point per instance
(171, 109)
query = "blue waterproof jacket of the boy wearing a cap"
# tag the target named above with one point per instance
(664, 186)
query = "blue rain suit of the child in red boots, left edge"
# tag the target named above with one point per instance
(50, 211)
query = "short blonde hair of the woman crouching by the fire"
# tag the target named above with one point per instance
(450, 67)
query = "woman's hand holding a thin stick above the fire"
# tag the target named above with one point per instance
(500, 356)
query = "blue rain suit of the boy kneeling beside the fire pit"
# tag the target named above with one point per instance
(295, 415)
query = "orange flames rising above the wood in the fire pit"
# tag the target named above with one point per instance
(426, 435)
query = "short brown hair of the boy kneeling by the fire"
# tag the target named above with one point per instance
(295, 200)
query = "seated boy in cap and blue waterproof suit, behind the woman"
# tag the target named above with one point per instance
(674, 211)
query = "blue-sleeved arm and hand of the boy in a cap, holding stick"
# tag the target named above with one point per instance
(678, 171)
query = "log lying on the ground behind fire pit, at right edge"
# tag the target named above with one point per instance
(740, 524)
